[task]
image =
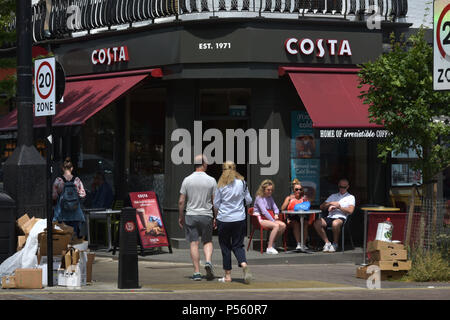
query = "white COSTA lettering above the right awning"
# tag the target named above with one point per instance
(307, 47)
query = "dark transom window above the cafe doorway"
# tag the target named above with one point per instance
(224, 102)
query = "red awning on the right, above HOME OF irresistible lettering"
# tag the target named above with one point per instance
(330, 96)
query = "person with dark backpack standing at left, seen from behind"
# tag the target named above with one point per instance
(67, 191)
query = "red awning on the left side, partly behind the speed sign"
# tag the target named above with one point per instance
(84, 96)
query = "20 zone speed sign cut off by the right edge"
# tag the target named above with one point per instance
(441, 45)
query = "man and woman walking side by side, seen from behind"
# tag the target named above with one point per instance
(215, 205)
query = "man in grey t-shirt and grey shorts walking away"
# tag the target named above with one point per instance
(197, 194)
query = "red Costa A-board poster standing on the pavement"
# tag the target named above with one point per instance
(151, 228)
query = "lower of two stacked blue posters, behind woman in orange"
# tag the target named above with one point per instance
(308, 172)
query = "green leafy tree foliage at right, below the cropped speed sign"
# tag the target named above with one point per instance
(399, 91)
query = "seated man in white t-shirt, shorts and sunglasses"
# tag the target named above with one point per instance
(339, 206)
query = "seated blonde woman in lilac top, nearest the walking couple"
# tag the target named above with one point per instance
(263, 203)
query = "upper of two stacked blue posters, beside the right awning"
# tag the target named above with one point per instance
(303, 143)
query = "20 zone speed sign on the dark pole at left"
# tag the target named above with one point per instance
(44, 87)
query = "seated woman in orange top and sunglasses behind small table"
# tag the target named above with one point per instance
(293, 221)
